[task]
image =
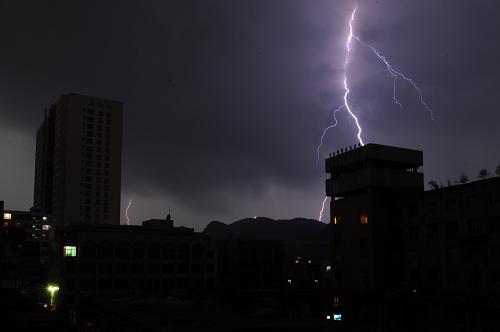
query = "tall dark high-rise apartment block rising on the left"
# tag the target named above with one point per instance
(78, 161)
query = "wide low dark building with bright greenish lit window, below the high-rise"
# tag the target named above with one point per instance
(111, 260)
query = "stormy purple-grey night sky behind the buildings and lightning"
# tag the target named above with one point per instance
(225, 101)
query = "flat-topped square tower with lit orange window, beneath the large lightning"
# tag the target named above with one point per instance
(369, 187)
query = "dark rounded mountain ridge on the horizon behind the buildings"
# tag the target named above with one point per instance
(302, 237)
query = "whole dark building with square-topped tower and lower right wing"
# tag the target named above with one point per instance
(410, 258)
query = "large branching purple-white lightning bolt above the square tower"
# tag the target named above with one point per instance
(390, 69)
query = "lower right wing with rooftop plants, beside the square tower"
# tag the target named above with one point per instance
(455, 246)
